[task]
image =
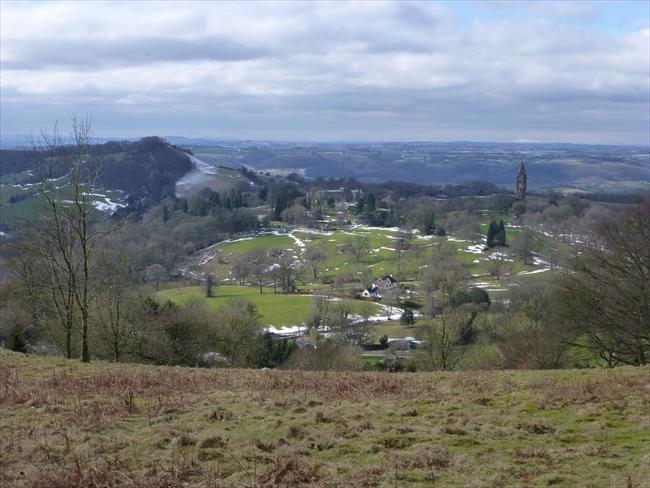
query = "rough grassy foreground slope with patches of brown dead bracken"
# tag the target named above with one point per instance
(69, 424)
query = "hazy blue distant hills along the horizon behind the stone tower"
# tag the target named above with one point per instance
(588, 167)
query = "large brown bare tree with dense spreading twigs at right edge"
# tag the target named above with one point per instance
(606, 297)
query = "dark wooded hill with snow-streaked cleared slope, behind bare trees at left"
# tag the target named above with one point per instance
(147, 170)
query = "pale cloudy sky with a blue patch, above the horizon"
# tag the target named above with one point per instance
(522, 71)
